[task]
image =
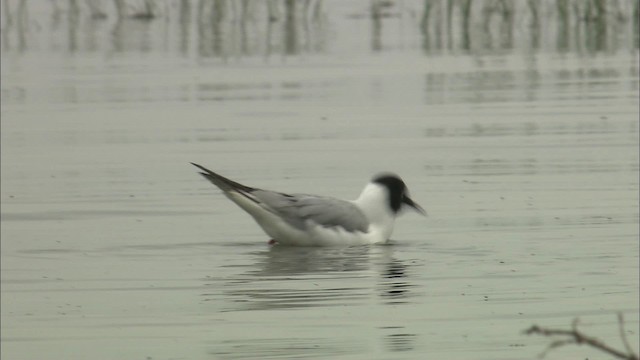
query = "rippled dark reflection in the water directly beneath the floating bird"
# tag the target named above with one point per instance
(296, 277)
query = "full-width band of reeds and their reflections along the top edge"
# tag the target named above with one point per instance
(230, 29)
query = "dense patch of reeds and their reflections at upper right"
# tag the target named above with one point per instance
(492, 24)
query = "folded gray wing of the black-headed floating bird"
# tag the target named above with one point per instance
(296, 209)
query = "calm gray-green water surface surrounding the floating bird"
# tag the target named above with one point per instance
(113, 247)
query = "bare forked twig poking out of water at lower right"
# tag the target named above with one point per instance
(574, 336)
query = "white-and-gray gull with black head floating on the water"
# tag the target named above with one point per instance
(311, 220)
